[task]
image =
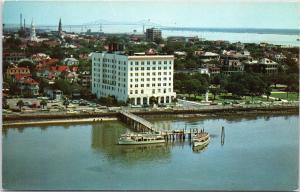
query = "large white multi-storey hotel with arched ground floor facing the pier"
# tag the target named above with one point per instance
(135, 78)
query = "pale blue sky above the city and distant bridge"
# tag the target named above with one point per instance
(189, 13)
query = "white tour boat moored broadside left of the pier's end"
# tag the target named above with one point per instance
(140, 139)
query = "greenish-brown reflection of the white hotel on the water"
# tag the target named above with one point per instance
(105, 137)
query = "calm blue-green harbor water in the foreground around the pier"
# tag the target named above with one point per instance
(258, 153)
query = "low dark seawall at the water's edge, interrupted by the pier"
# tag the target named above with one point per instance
(46, 119)
